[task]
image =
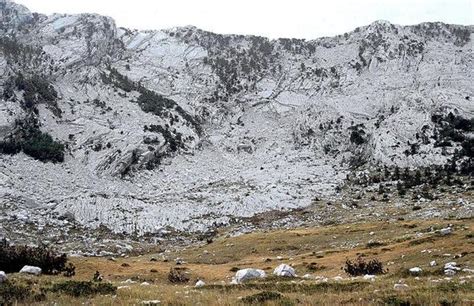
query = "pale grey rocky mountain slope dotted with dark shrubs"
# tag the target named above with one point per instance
(136, 131)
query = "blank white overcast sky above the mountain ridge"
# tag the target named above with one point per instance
(271, 18)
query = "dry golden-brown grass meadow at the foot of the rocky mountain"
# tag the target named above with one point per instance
(325, 248)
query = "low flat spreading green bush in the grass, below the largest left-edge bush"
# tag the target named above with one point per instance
(83, 288)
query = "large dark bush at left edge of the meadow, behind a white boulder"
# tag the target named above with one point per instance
(13, 258)
